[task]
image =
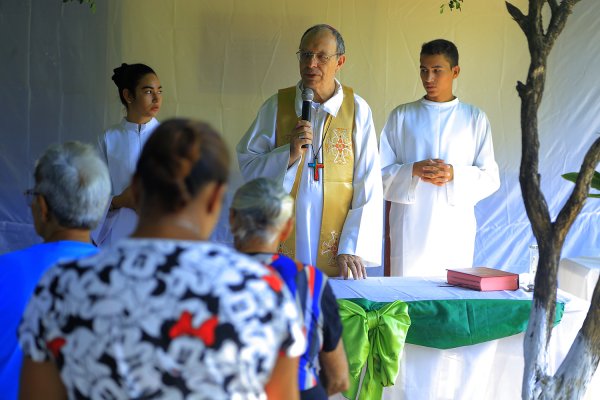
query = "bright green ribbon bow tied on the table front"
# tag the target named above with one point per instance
(374, 334)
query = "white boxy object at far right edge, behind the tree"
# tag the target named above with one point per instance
(579, 275)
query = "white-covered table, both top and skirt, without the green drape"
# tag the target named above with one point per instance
(488, 370)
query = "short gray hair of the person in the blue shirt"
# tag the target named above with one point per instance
(75, 183)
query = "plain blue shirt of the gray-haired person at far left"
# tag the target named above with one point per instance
(20, 272)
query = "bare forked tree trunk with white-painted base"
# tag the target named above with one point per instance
(572, 377)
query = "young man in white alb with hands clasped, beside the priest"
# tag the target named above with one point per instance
(437, 161)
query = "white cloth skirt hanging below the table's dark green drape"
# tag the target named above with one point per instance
(491, 370)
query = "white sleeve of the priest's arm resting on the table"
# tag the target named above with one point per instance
(364, 223)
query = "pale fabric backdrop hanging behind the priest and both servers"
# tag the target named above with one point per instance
(219, 60)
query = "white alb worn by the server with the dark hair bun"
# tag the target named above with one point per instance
(120, 147)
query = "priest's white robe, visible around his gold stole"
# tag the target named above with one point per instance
(258, 157)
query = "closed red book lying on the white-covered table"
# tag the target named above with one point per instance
(483, 279)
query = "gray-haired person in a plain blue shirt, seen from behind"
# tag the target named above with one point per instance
(71, 192)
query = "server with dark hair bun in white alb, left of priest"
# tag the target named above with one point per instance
(140, 92)
